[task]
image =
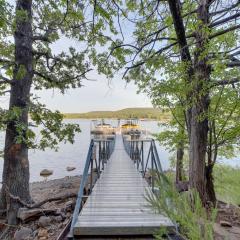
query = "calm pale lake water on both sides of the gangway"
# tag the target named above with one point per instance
(74, 155)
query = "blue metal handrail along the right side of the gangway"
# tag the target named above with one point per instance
(136, 149)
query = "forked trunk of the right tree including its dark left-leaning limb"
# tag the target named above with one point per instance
(198, 74)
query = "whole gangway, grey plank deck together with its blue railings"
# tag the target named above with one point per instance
(117, 205)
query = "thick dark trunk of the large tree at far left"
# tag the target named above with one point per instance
(16, 165)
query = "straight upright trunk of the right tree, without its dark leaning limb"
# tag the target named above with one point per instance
(199, 111)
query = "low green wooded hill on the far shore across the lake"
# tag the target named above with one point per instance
(145, 113)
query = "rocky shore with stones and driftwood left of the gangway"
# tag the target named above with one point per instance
(55, 215)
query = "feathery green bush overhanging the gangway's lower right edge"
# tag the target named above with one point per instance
(185, 209)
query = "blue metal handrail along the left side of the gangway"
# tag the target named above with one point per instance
(105, 149)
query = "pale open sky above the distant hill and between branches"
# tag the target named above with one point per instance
(95, 95)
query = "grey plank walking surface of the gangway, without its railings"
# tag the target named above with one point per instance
(117, 206)
